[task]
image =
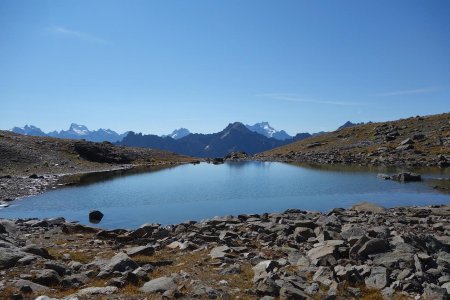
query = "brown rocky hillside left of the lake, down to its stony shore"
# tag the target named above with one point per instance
(30, 164)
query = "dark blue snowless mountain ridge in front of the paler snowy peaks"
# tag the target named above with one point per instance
(235, 137)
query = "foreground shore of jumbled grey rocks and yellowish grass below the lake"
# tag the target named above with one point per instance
(365, 252)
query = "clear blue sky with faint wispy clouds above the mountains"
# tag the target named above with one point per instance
(153, 66)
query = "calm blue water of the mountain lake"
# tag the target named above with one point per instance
(195, 192)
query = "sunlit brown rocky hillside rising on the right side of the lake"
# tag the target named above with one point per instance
(417, 141)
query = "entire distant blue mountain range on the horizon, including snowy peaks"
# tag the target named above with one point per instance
(235, 137)
